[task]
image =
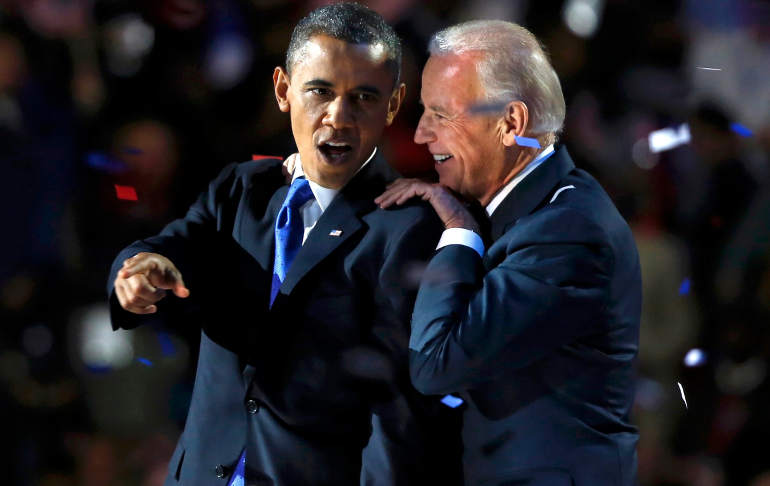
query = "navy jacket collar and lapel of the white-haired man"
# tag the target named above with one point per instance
(530, 192)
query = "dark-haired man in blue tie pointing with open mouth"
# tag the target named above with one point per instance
(299, 290)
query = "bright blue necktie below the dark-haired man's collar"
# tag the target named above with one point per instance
(289, 230)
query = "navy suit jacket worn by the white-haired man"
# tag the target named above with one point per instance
(539, 335)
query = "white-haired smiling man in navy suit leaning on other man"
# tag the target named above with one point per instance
(538, 329)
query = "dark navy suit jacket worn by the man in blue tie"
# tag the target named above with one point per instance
(297, 383)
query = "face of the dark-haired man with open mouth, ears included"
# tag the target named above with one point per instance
(340, 97)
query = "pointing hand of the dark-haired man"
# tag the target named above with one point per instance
(143, 281)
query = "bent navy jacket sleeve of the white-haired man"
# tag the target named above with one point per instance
(471, 324)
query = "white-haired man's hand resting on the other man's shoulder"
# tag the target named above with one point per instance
(450, 209)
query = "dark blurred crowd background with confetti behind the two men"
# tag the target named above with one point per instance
(668, 106)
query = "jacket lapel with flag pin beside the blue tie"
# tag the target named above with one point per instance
(340, 221)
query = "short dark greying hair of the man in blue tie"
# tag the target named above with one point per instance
(350, 22)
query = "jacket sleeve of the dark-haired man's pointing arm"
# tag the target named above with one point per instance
(184, 242)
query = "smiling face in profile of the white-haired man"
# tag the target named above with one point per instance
(468, 149)
